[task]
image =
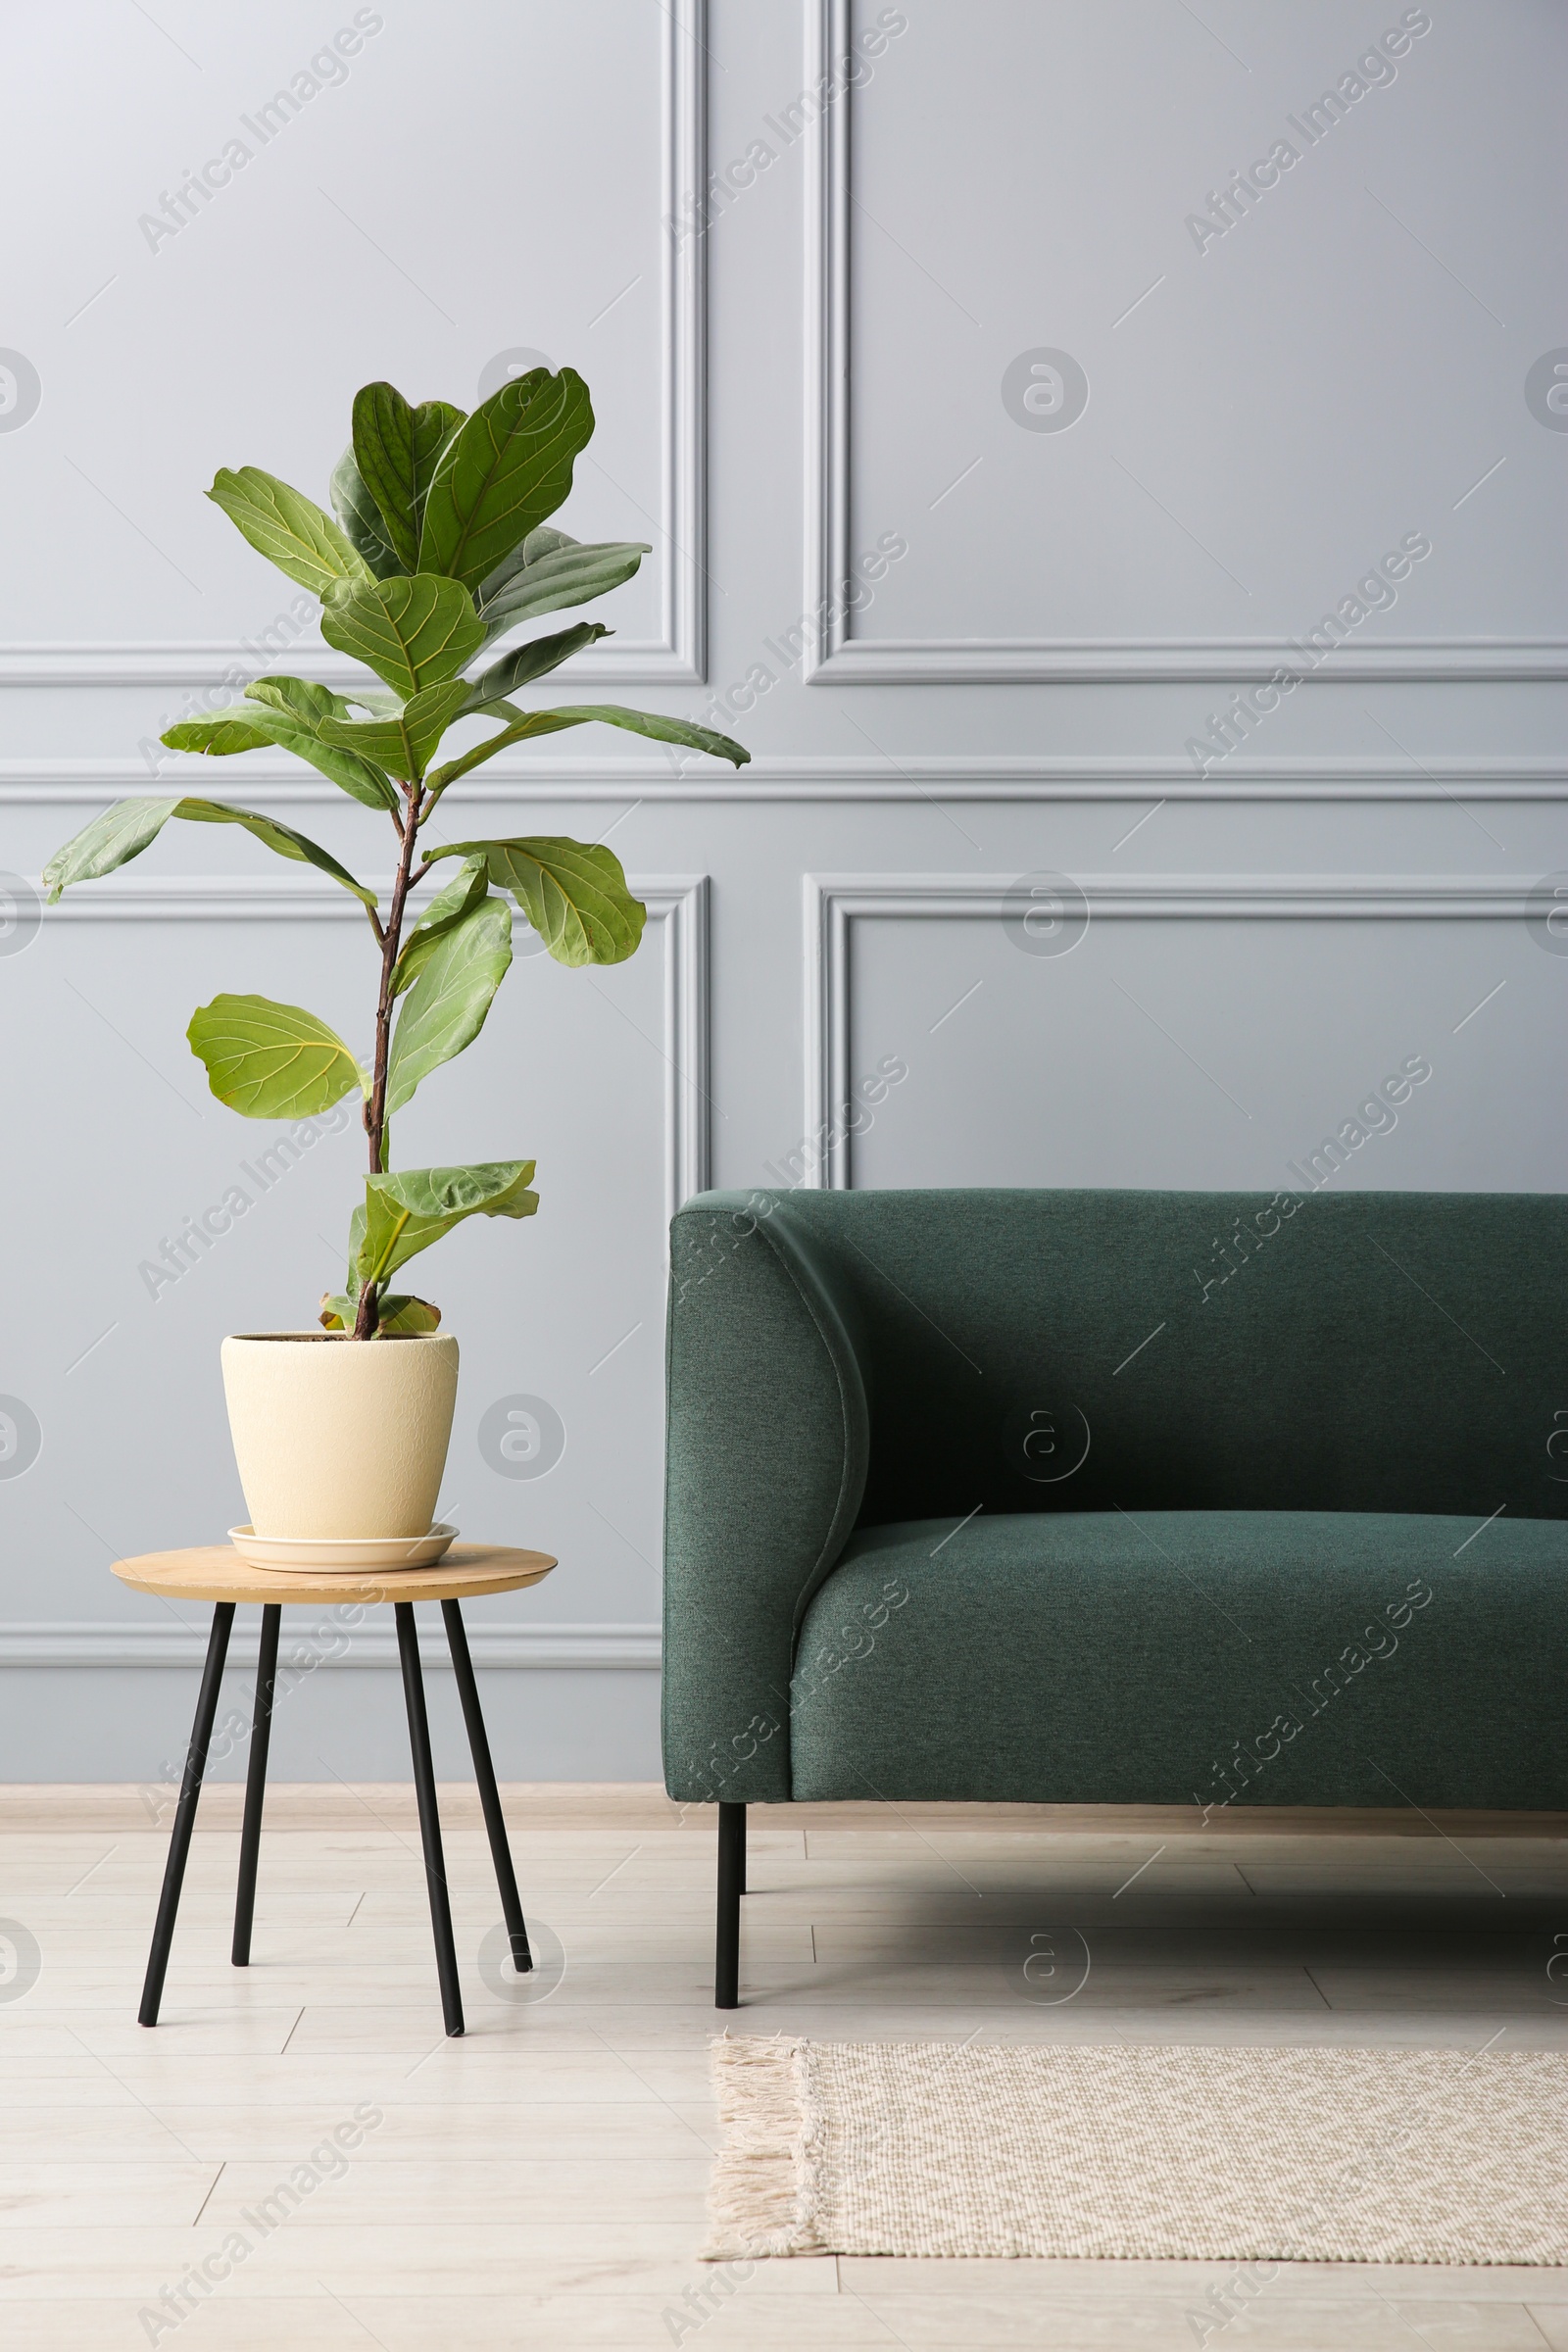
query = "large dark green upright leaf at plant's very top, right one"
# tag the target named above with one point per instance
(504, 474)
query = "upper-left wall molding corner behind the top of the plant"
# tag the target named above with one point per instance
(681, 530)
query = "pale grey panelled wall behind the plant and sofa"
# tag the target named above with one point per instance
(1061, 582)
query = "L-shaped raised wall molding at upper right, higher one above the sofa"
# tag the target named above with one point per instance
(979, 662)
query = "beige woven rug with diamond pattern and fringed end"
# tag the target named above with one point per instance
(1257, 2156)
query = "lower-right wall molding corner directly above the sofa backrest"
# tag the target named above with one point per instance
(838, 902)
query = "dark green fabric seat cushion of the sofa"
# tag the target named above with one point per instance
(1207, 1657)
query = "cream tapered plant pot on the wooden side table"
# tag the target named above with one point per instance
(340, 1438)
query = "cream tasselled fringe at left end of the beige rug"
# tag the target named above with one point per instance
(765, 2186)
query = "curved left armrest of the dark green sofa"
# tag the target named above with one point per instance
(765, 1466)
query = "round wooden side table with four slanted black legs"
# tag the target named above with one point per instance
(217, 1575)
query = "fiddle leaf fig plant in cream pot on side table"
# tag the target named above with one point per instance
(438, 554)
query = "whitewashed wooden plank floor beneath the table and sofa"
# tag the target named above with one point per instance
(542, 2181)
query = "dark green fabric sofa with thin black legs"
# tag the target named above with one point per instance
(1115, 1497)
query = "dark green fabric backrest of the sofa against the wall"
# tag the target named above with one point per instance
(1195, 1351)
